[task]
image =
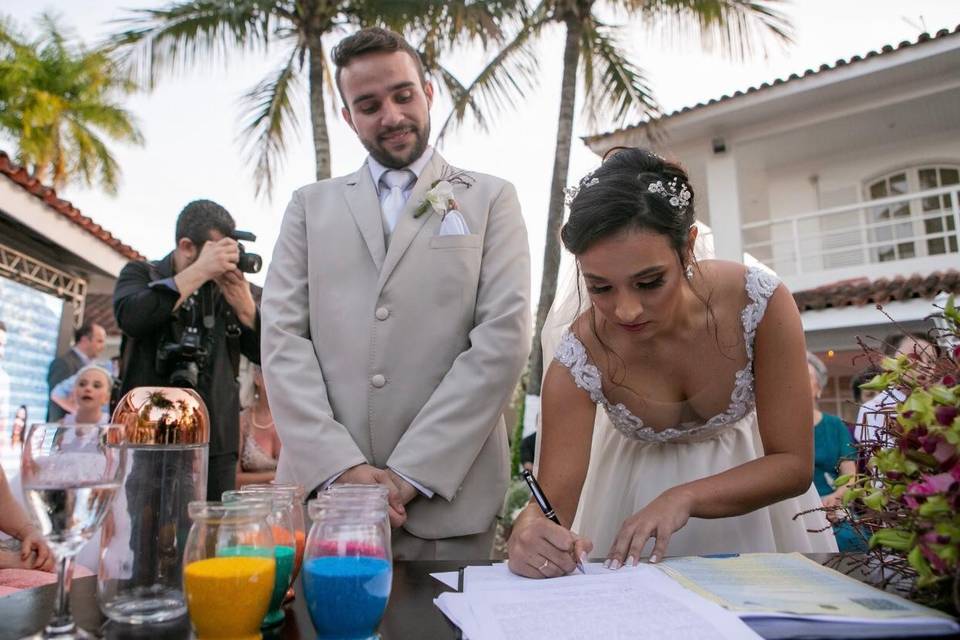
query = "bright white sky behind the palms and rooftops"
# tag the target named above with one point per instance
(191, 120)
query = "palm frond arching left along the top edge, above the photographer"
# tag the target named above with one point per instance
(153, 41)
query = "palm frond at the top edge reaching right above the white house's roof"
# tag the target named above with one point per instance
(736, 28)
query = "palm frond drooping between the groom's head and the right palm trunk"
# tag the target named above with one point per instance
(503, 82)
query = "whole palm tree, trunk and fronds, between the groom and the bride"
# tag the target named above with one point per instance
(614, 88)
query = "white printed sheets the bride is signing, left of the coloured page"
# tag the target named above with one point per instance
(633, 603)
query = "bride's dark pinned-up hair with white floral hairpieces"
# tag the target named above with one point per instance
(619, 199)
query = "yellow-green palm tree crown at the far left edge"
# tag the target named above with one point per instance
(58, 103)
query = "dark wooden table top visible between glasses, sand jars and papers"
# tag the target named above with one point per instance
(410, 613)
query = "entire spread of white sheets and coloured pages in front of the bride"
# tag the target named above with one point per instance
(746, 596)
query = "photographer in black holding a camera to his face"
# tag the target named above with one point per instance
(187, 318)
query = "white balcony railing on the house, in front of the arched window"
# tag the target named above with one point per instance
(911, 225)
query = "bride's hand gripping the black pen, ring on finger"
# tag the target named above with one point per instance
(539, 548)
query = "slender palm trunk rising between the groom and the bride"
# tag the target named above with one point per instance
(561, 164)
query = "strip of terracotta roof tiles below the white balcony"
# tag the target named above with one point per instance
(860, 292)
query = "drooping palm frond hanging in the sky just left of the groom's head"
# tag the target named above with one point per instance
(271, 116)
